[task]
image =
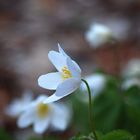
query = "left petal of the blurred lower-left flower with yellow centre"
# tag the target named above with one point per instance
(26, 119)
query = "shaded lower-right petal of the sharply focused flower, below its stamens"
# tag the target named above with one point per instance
(67, 87)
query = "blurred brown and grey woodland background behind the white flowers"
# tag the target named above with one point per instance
(29, 29)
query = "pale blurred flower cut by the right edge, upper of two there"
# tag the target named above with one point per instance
(132, 69)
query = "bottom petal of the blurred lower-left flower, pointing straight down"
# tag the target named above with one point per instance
(41, 125)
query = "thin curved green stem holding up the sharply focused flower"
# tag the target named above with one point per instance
(90, 108)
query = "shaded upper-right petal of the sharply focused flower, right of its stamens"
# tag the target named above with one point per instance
(73, 68)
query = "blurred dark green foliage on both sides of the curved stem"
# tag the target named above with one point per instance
(114, 108)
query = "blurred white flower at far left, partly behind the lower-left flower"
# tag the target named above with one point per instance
(19, 104)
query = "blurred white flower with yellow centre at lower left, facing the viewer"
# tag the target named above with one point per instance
(44, 115)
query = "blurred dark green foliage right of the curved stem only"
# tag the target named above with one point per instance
(117, 108)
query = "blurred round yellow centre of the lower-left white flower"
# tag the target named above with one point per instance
(42, 110)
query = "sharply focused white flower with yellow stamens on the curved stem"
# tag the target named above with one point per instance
(66, 80)
